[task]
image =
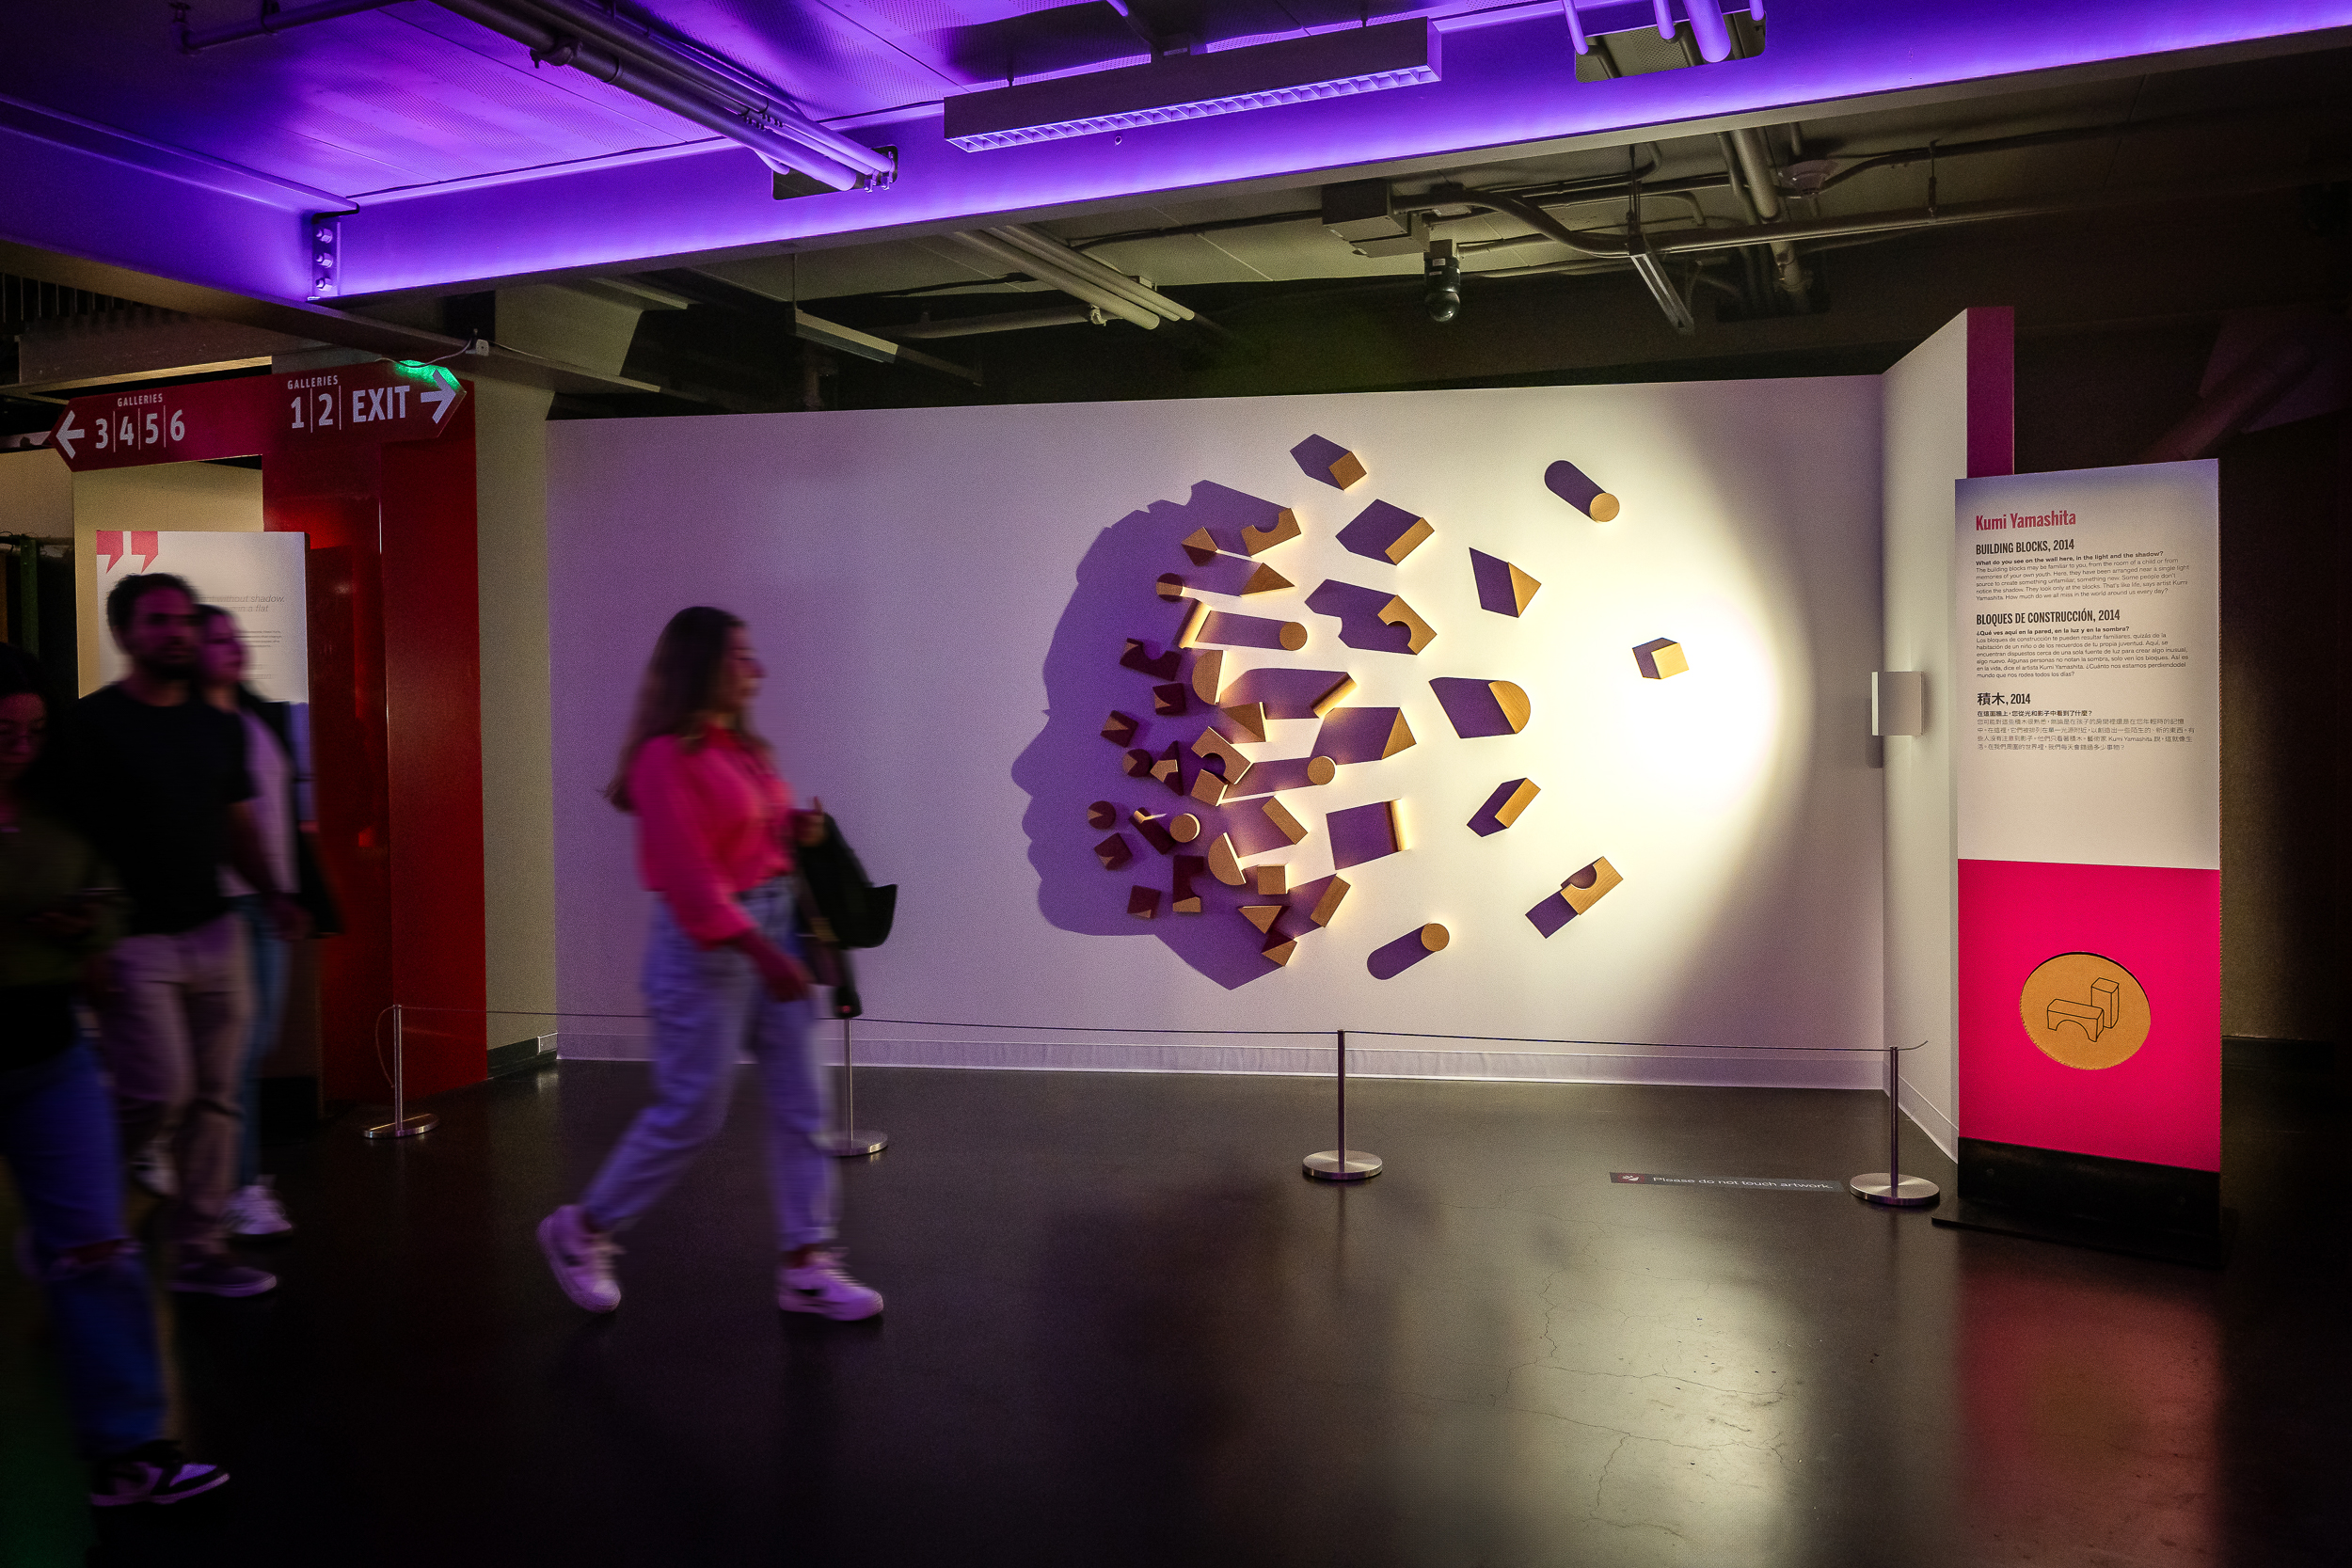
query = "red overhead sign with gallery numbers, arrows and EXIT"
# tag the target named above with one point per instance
(260, 415)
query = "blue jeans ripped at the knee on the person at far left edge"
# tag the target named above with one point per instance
(58, 1134)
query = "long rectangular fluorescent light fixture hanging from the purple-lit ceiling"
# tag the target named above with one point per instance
(1198, 86)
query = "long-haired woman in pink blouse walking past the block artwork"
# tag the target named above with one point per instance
(723, 974)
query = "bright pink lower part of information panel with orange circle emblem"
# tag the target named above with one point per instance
(2163, 925)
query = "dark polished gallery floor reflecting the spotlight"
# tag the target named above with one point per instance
(1125, 1332)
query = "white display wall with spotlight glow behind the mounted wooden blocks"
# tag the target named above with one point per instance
(942, 598)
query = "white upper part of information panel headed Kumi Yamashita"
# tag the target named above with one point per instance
(2090, 674)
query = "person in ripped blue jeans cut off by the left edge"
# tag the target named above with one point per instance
(58, 1132)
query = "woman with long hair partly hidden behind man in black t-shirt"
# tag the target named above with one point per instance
(274, 763)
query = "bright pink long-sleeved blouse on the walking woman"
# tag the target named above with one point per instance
(714, 822)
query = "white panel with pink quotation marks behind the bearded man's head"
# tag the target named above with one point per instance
(258, 577)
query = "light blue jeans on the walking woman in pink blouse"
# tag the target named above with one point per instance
(709, 1007)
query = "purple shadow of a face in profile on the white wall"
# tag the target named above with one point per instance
(1069, 765)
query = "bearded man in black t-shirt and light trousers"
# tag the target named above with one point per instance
(156, 779)
